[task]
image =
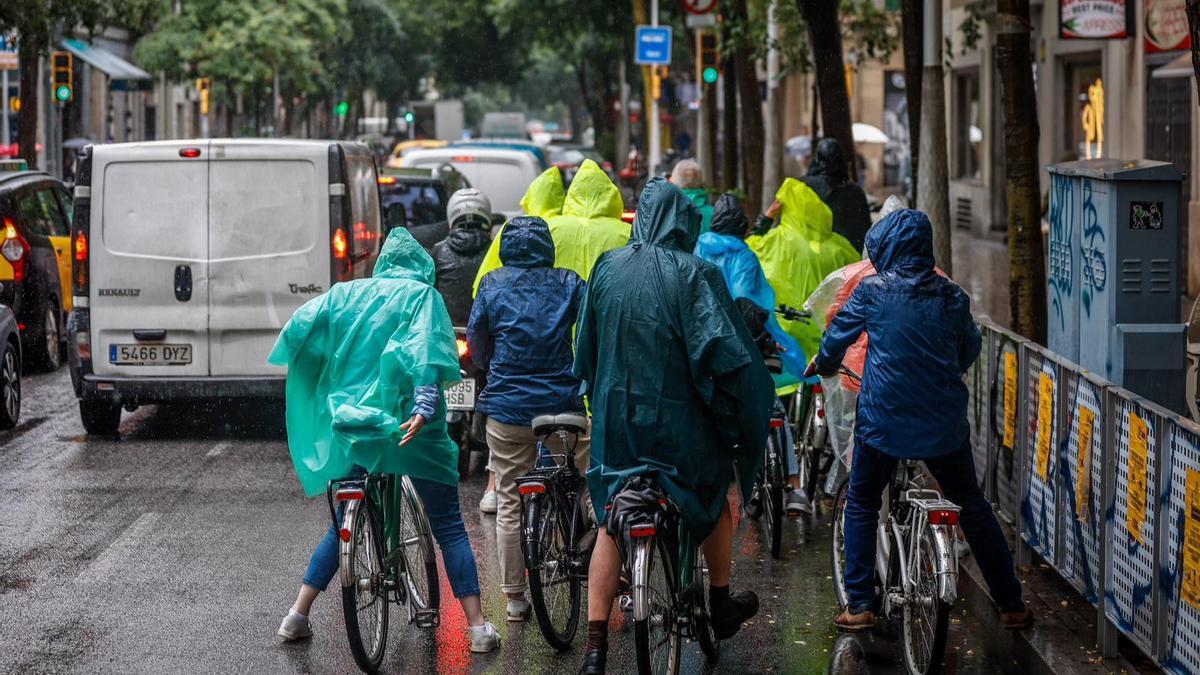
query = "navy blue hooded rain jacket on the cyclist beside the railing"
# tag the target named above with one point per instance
(914, 404)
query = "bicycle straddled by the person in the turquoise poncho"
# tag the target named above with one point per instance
(386, 555)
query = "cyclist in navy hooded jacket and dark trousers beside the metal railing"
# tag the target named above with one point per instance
(914, 405)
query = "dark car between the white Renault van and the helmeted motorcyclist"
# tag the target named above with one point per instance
(417, 199)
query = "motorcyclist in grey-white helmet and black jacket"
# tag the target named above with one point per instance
(459, 256)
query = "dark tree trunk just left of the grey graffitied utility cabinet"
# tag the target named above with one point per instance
(1027, 264)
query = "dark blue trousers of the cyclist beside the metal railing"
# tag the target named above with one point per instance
(956, 475)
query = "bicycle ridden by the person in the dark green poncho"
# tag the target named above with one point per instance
(668, 575)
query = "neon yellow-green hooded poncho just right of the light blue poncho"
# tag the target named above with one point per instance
(800, 253)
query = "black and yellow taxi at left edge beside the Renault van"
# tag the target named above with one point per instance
(35, 266)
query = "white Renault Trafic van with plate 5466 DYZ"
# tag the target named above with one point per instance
(190, 256)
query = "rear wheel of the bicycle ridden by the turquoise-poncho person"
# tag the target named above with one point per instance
(364, 595)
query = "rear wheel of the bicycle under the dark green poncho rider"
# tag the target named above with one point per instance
(656, 629)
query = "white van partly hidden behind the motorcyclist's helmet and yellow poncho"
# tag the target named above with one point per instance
(502, 175)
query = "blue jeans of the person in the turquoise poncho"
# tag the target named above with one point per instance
(446, 521)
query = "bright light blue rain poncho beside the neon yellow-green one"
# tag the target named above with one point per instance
(745, 279)
